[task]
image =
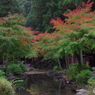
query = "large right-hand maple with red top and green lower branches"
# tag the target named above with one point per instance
(72, 36)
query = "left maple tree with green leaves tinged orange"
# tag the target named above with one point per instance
(15, 39)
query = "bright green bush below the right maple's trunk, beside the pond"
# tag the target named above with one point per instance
(77, 76)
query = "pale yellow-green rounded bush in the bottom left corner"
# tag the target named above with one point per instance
(6, 87)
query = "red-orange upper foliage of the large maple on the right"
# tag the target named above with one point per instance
(77, 18)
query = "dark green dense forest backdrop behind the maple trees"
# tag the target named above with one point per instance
(38, 13)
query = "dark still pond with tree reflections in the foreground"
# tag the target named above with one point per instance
(42, 85)
